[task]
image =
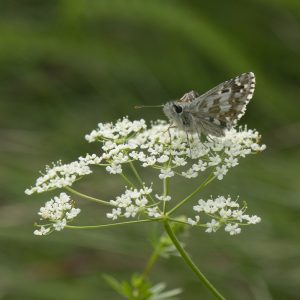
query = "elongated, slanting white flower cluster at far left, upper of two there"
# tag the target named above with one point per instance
(61, 175)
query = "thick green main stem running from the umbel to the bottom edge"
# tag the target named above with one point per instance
(190, 263)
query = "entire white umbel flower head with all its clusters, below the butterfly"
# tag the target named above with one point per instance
(167, 151)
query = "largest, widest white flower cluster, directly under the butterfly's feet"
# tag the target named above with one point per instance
(168, 150)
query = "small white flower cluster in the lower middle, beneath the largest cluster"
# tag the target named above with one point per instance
(131, 203)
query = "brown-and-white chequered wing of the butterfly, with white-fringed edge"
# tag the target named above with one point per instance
(226, 103)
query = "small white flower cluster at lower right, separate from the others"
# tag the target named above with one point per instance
(224, 212)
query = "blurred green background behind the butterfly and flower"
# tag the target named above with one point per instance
(67, 65)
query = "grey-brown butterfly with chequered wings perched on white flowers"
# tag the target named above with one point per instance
(216, 110)
